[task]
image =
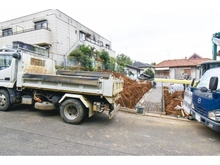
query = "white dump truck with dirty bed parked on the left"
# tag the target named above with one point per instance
(29, 78)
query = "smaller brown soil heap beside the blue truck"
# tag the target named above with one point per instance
(172, 100)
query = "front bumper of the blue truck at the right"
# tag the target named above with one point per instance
(206, 121)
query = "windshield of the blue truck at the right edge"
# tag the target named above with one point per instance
(204, 80)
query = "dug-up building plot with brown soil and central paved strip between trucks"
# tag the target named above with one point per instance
(136, 94)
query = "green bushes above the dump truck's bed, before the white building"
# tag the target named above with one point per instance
(88, 58)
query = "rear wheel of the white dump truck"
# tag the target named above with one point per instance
(72, 111)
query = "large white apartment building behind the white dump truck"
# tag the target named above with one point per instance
(53, 30)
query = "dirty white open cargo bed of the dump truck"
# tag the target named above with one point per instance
(91, 84)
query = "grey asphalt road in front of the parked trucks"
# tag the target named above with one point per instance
(26, 132)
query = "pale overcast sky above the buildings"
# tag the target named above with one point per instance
(146, 31)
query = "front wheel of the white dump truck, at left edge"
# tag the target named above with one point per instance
(4, 100)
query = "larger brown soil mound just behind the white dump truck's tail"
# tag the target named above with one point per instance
(133, 91)
